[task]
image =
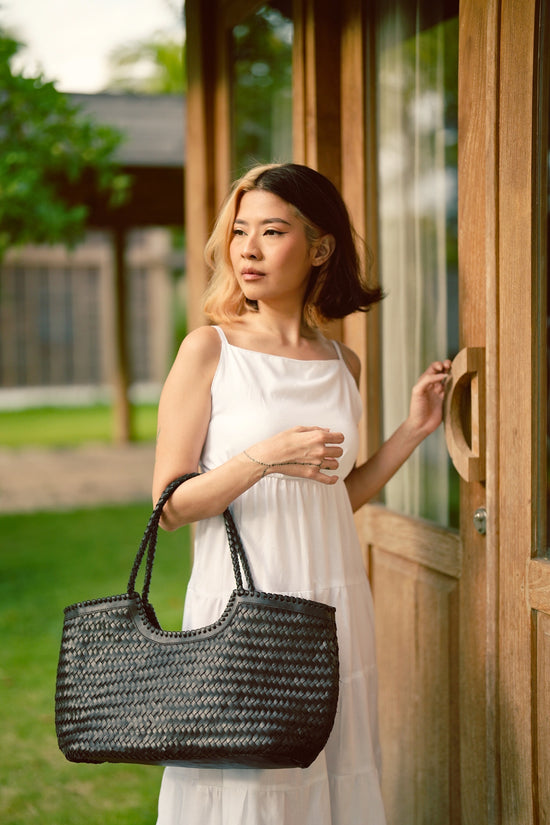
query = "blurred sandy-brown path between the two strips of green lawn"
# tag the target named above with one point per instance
(64, 479)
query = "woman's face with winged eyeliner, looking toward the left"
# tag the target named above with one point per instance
(270, 253)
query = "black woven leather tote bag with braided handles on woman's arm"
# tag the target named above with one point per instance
(256, 689)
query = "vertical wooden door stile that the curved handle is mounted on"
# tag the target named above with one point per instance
(477, 254)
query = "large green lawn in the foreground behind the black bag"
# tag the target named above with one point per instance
(49, 560)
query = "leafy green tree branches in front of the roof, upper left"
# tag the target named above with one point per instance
(46, 143)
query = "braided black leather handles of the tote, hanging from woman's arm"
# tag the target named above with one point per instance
(149, 542)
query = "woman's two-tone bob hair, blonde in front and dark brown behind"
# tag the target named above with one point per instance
(336, 288)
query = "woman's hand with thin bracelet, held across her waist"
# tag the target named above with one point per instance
(303, 452)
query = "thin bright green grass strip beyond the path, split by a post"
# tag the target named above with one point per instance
(68, 427)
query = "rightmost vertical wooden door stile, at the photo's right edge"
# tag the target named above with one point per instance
(524, 581)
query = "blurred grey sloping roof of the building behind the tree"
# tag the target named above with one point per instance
(153, 125)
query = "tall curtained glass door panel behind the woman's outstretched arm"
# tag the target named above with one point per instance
(417, 102)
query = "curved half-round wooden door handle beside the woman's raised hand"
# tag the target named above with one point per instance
(464, 413)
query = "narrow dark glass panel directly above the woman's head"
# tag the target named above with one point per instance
(262, 87)
